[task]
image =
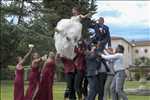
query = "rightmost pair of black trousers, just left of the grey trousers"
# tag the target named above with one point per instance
(101, 84)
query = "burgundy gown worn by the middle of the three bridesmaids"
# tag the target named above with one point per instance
(34, 77)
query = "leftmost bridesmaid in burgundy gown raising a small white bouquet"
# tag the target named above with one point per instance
(19, 78)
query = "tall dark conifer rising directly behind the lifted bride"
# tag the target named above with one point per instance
(63, 8)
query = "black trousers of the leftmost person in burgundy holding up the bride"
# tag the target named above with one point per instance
(70, 91)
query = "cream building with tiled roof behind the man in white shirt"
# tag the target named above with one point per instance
(133, 49)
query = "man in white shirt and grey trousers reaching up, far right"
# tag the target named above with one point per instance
(120, 75)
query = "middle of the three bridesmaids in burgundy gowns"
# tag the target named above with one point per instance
(34, 77)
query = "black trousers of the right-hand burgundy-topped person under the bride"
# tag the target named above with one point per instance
(78, 82)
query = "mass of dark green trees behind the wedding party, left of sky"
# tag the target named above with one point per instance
(34, 22)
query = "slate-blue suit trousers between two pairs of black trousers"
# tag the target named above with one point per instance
(93, 83)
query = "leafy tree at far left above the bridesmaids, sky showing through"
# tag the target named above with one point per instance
(15, 37)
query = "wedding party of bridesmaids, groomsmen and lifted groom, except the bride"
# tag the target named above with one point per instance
(87, 75)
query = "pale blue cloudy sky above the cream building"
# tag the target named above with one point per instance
(128, 19)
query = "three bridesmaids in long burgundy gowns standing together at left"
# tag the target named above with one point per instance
(41, 77)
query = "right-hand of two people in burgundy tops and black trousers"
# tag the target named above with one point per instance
(80, 68)
